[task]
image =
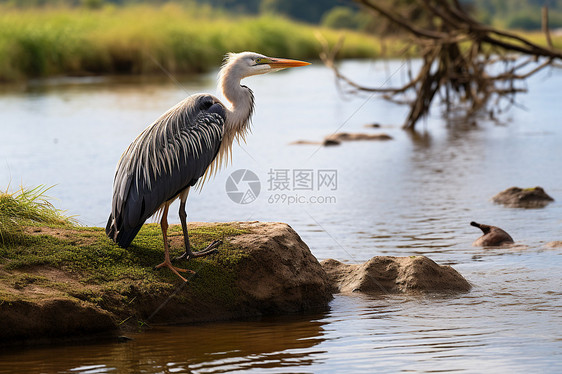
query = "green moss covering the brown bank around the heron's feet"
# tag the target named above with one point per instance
(113, 277)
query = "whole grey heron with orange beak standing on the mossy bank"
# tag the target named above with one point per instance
(186, 145)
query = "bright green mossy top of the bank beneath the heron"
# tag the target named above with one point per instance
(93, 260)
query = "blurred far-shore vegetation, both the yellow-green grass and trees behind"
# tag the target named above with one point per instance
(41, 38)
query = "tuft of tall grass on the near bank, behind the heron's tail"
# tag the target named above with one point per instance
(26, 206)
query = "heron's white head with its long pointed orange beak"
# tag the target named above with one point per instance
(246, 64)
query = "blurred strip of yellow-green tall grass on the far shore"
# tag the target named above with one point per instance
(135, 39)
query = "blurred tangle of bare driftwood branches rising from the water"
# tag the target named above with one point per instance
(469, 65)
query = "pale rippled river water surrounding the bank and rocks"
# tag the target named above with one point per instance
(413, 195)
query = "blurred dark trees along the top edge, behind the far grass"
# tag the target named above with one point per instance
(345, 14)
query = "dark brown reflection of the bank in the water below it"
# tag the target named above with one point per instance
(218, 347)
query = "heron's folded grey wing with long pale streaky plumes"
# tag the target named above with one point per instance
(165, 159)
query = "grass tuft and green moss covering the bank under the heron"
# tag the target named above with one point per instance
(35, 237)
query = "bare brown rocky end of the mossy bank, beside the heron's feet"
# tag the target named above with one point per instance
(280, 274)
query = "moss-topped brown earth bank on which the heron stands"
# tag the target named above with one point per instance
(263, 268)
